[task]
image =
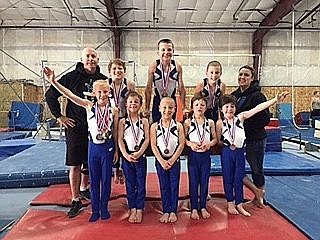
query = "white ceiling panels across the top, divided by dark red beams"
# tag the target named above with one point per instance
(140, 14)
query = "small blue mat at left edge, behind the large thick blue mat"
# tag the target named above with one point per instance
(11, 147)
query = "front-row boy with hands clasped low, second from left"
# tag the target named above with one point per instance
(133, 141)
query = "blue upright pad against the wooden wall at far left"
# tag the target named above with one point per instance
(25, 116)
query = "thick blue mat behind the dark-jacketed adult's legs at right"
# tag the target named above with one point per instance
(279, 163)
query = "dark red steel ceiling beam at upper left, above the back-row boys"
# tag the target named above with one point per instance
(115, 23)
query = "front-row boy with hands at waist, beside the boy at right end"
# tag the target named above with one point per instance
(200, 137)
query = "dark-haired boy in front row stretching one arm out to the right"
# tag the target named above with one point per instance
(233, 152)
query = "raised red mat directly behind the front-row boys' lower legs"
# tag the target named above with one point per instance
(60, 194)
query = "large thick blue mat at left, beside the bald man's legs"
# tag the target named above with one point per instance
(40, 165)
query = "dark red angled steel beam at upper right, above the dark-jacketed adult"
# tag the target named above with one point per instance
(283, 8)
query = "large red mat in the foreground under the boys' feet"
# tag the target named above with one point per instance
(264, 223)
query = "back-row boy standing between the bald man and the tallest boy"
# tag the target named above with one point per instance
(119, 88)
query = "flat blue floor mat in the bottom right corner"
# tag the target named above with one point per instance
(303, 208)
